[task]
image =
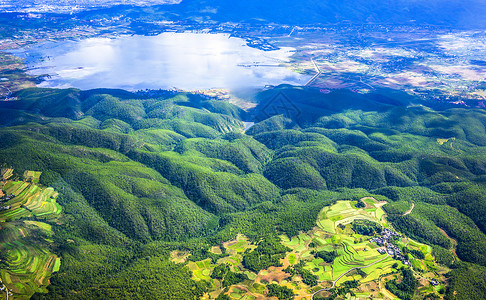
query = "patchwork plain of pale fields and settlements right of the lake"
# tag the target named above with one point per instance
(410, 62)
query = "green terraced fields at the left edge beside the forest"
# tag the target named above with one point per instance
(27, 264)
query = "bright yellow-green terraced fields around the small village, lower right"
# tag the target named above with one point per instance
(356, 258)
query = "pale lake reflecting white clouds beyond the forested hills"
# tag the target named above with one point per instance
(186, 61)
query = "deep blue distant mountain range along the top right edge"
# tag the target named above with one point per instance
(469, 13)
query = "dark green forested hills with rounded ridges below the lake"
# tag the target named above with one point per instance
(139, 177)
